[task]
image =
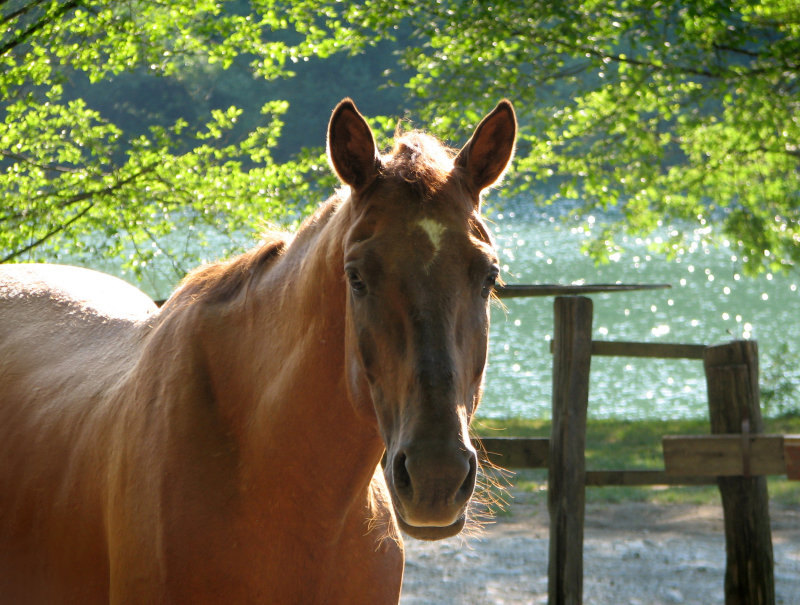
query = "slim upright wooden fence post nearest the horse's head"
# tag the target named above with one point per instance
(572, 351)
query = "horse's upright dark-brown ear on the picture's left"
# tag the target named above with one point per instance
(352, 151)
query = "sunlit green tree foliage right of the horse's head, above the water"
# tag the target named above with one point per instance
(660, 111)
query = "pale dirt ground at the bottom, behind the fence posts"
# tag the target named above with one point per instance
(634, 554)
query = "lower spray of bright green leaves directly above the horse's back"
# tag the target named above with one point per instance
(64, 197)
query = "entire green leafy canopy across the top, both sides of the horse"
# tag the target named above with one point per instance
(650, 111)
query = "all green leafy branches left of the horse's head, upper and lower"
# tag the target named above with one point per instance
(73, 181)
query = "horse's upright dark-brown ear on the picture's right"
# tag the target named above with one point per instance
(487, 154)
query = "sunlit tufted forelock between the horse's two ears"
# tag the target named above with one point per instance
(421, 160)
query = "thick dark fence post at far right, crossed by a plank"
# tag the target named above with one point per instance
(733, 400)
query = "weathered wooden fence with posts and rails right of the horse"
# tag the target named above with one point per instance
(736, 455)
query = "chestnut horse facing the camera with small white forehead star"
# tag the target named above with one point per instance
(227, 447)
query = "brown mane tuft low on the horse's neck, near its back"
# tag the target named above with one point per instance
(221, 281)
